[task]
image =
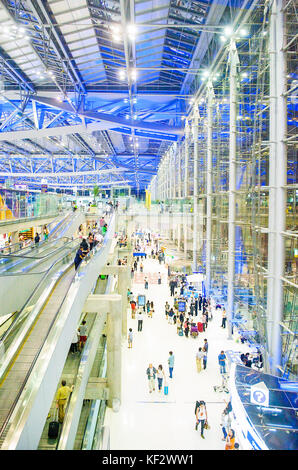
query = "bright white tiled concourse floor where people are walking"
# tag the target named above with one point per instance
(154, 421)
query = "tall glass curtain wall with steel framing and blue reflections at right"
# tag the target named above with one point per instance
(242, 183)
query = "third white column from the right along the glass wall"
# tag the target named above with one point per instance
(210, 103)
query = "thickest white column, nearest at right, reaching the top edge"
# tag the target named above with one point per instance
(277, 182)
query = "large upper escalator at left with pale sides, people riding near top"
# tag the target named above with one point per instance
(31, 348)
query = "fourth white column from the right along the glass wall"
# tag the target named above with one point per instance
(195, 123)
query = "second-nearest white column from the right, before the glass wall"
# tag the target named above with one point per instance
(233, 59)
